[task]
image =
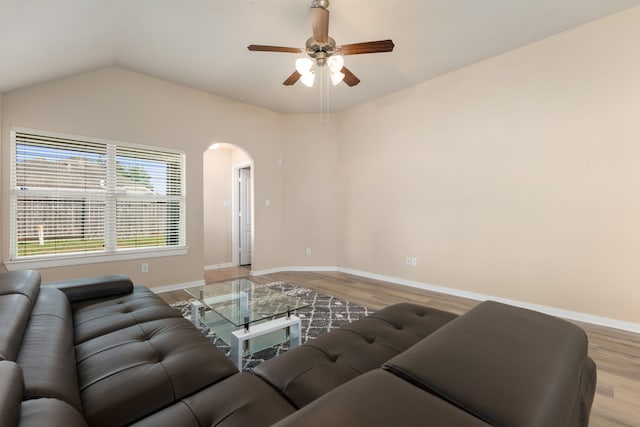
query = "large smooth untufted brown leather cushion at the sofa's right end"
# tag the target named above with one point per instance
(506, 365)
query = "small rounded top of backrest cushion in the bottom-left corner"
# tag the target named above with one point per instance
(50, 413)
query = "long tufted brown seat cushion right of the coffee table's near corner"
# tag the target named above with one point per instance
(317, 367)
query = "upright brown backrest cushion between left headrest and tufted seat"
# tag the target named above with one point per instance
(47, 355)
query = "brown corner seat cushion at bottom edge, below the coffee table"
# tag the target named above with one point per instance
(241, 400)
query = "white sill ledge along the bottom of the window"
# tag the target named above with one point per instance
(92, 259)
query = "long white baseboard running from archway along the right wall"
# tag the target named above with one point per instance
(553, 311)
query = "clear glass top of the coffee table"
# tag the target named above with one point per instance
(243, 302)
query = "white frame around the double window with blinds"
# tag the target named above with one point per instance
(110, 253)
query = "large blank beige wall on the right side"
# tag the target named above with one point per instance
(517, 177)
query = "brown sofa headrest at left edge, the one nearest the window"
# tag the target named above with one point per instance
(18, 293)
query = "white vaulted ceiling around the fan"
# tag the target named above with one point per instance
(203, 43)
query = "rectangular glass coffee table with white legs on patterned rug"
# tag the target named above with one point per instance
(247, 316)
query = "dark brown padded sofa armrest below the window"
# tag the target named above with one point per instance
(94, 287)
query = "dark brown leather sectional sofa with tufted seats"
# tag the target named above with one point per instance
(103, 352)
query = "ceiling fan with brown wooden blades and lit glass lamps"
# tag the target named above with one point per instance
(322, 50)
